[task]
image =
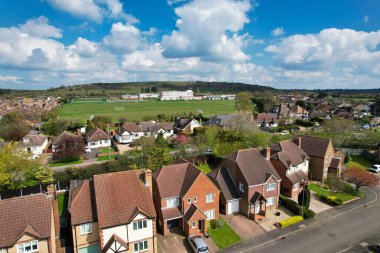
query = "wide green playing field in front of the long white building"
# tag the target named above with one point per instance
(135, 111)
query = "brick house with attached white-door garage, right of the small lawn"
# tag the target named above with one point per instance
(248, 182)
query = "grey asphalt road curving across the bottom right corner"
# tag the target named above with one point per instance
(338, 230)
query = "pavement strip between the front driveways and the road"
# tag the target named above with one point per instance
(321, 217)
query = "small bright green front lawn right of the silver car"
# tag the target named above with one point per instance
(224, 236)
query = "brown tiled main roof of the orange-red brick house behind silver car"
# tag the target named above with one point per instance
(176, 179)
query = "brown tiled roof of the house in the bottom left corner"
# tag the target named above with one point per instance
(29, 214)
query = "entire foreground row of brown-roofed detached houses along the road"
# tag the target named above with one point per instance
(123, 211)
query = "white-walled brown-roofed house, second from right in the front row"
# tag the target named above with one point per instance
(292, 164)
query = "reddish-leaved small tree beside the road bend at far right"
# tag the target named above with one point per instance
(360, 178)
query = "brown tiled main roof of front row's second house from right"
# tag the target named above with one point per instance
(287, 151)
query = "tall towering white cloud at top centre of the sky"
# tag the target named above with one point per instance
(209, 30)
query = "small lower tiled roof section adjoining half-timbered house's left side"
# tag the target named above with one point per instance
(82, 203)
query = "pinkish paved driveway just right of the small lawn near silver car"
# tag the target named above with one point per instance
(243, 226)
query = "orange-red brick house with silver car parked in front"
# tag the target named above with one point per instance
(185, 198)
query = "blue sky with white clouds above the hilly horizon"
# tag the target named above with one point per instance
(290, 44)
